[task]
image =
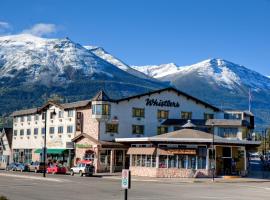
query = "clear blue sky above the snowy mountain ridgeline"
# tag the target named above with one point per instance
(142, 32)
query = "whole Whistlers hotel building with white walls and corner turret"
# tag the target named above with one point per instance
(164, 133)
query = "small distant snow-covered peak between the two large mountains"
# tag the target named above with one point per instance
(157, 71)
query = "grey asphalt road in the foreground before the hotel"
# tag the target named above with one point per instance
(30, 186)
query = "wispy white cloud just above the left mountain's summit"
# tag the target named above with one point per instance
(41, 29)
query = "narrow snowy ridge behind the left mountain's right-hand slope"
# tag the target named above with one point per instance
(100, 52)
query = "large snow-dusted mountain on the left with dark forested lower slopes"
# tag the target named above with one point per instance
(32, 69)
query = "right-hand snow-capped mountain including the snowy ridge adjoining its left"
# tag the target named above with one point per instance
(220, 82)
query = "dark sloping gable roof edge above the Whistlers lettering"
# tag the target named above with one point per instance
(174, 90)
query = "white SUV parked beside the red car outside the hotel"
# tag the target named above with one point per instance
(83, 168)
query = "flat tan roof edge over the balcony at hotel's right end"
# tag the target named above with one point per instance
(226, 122)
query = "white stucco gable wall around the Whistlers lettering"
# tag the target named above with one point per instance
(123, 112)
